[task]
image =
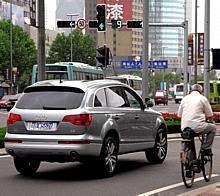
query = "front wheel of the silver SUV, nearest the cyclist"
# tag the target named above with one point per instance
(158, 153)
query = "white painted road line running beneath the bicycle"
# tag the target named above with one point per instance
(172, 186)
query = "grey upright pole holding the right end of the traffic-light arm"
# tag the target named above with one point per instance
(185, 65)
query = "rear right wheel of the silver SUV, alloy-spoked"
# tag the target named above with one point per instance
(109, 156)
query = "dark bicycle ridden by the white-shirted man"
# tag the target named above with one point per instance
(190, 163)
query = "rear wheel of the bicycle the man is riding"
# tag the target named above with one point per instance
(187, 174)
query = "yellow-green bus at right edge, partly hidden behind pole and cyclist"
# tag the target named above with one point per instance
(214, 90)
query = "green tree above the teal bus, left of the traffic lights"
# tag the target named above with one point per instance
(82, 47)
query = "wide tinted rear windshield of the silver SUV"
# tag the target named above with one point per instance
(51, 98)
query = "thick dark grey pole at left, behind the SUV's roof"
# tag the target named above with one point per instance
(41, 40)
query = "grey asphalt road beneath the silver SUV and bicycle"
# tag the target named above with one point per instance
(134, 177)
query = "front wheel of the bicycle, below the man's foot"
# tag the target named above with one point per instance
(206, 167)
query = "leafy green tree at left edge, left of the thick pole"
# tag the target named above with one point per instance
(24, 53)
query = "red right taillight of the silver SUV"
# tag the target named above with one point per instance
(79, 119)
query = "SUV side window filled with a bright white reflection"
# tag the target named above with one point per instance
(115, 97)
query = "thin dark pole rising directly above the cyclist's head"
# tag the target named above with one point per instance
(196, 45)
